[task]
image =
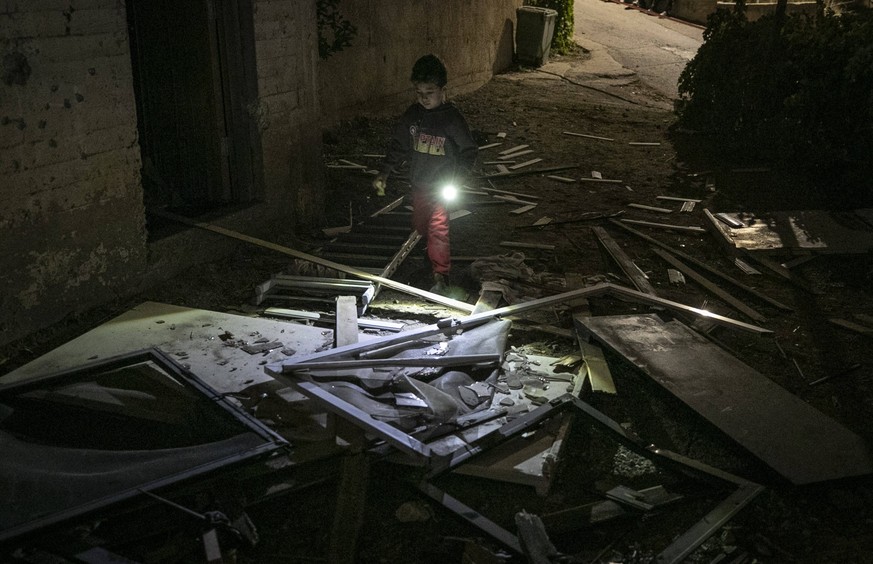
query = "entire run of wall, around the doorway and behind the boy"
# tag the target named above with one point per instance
(73, 229)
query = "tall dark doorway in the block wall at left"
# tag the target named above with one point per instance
(194, 78)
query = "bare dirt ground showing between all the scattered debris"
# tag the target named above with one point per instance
(823, 523)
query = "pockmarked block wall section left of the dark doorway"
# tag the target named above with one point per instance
(72, 224)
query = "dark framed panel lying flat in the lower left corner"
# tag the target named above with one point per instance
(84, 439)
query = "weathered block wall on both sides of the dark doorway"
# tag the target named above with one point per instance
(72, 218)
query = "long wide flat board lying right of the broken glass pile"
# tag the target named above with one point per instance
(802, 444)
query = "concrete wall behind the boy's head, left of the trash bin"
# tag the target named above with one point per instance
(474, 39)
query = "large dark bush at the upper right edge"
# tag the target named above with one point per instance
(796, 91)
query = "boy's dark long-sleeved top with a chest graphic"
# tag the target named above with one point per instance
(437, 144)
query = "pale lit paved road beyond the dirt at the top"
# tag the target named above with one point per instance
(656, 49)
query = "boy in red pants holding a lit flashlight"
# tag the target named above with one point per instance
(435, 139)
